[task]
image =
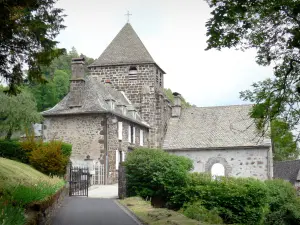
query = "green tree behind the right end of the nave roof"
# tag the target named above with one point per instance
(285, 148)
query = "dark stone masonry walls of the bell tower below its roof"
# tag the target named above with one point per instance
(145, 92)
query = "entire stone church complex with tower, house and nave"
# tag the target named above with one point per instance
(121, 105)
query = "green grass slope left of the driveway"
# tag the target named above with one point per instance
(20, 186)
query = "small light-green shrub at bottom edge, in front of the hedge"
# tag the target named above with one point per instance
(198, 212)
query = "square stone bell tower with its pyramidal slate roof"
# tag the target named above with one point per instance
(129, 66)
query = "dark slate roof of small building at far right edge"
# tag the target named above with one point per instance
(287, 170)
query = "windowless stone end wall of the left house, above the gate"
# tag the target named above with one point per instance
(84, 132)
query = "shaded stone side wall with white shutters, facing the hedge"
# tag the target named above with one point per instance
(121, 145)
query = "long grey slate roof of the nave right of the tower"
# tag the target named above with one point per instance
(213, 127)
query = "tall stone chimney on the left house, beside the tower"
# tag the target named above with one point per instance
(77, 83)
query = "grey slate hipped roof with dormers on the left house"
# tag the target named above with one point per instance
(94, 97)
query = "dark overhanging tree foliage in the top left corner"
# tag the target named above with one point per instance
(27, 32)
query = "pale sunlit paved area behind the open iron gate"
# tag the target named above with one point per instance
(103, 191)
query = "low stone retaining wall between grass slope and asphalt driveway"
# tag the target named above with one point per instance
(42, 213)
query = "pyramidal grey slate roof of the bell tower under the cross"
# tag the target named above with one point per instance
(125, 48)
